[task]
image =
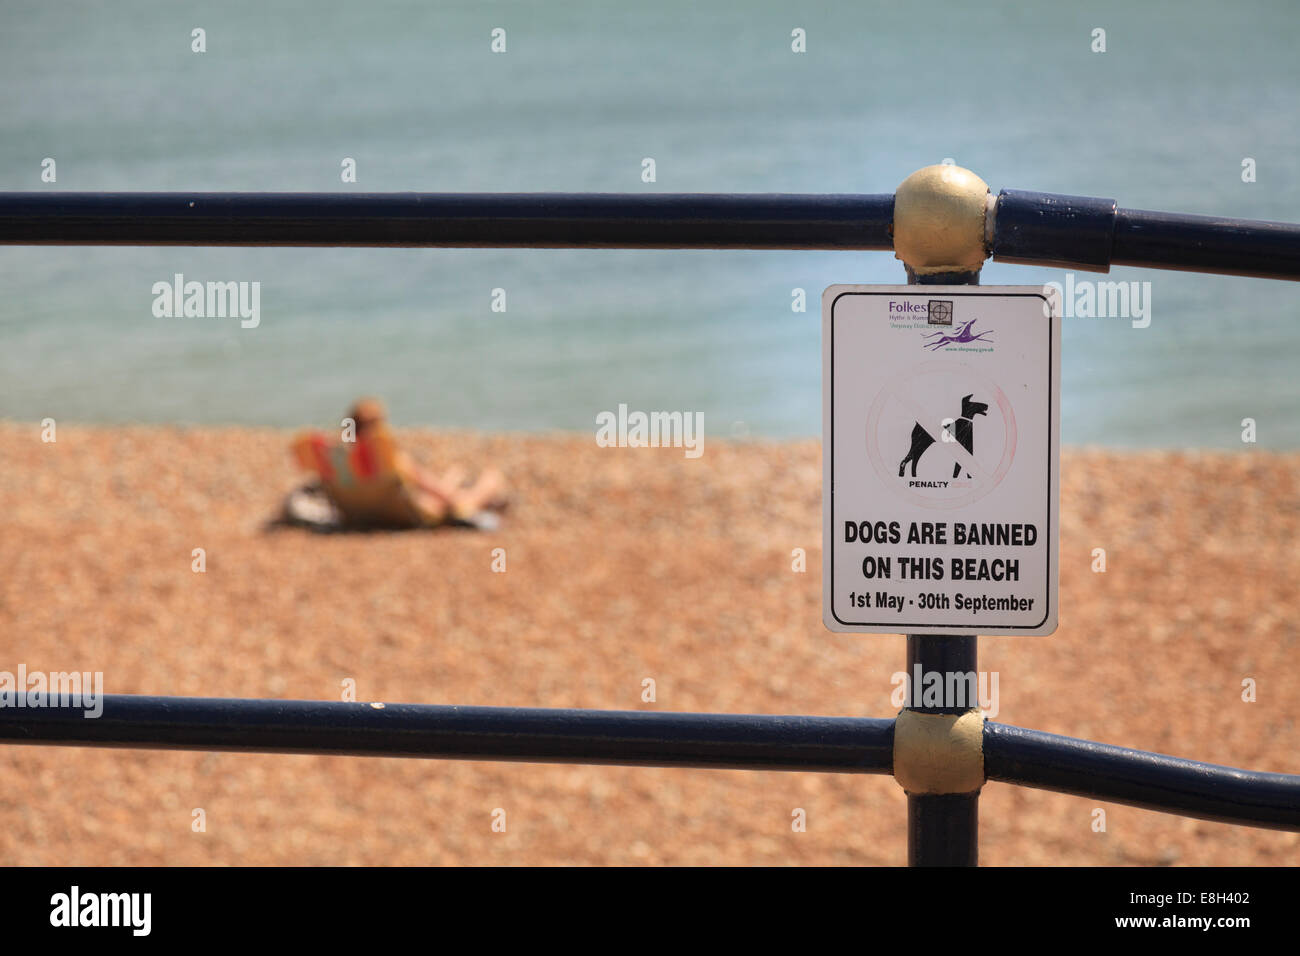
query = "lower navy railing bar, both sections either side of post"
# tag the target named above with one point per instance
(634, 738)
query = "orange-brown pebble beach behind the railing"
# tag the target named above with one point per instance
(619, 565)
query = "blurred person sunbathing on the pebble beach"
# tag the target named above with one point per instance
(374, 485)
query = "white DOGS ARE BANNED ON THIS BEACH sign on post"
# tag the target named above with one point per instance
(942, 419)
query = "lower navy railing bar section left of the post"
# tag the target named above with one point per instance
(734, 742)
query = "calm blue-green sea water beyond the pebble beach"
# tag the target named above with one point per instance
(414, 96)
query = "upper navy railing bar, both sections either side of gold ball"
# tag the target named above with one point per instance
(1028, 228)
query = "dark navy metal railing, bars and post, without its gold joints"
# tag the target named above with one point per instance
(1032, 228)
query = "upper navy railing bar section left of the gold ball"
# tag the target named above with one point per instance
(662, 220)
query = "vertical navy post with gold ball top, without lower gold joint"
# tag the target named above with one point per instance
(943, 829)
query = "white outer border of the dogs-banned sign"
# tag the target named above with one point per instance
(1054, 520)
